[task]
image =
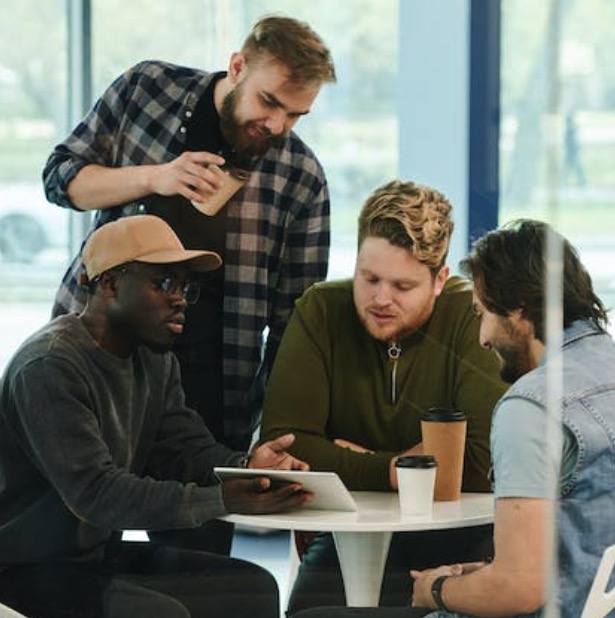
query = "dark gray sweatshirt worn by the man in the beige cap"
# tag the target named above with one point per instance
(91, 443)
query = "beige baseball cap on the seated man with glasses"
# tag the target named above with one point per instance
(140, 238)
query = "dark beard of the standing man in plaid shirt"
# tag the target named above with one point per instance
(245, 149)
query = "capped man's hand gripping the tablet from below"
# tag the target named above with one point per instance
(258, 496)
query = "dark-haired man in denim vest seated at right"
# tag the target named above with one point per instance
(532, 445)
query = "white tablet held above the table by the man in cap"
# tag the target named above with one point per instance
(330, 493)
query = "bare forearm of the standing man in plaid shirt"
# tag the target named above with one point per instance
(96, 187)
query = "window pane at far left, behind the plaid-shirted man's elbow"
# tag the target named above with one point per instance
(33, 233)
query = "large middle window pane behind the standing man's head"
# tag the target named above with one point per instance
(353, 125)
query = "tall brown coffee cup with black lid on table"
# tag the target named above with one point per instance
(444, 437)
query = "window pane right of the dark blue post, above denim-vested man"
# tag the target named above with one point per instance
(558, 125)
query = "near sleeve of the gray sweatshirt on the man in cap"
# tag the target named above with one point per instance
(66, 446)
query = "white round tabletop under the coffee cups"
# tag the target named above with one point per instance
(378, 511)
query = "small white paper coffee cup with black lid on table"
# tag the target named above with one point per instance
(416, 477)
